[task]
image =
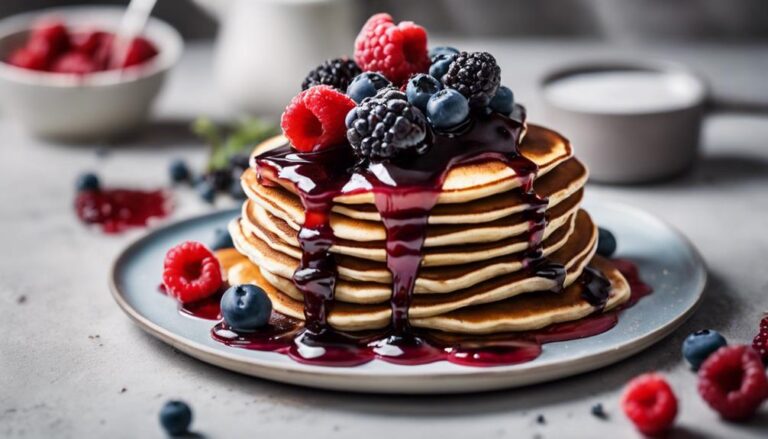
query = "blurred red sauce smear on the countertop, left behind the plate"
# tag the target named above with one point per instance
(118, 209)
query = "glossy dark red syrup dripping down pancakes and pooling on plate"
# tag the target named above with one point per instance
(405, 191)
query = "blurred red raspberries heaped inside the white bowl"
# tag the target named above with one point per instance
(51, 47)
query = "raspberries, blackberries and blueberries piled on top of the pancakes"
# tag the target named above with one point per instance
(385, 101)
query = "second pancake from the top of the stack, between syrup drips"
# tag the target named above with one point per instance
(568, 178)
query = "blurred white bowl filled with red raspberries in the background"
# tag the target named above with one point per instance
(61, 79)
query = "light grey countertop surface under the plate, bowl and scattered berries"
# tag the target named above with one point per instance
(72, 365)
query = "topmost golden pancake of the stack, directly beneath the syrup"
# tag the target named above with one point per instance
(464, 183)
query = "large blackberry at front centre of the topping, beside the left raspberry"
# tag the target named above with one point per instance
(385, 126)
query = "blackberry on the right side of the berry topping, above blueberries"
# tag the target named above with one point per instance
(475, 75)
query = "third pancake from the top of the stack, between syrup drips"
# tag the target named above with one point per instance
(366, 238)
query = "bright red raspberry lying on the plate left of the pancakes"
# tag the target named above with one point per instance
(191, 272)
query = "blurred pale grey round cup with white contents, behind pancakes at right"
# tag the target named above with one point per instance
(630, 122)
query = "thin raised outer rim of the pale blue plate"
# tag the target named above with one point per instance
(547, 371)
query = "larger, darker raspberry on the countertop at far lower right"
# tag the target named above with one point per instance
(732, 381)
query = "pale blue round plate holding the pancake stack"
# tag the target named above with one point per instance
(667, 261)
